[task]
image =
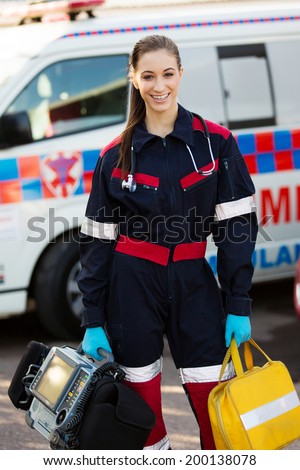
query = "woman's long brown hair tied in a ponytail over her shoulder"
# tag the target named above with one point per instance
(137, 109)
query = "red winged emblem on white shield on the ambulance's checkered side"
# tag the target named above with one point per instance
(61, 172)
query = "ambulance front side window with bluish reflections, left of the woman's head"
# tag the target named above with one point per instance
(74, 96)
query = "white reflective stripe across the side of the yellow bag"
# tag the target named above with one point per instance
(270, 410)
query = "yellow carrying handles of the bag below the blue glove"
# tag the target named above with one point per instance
(233, 352)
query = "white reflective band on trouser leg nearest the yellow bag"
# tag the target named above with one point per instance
(206, 374)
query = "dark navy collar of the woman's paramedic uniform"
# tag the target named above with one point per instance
(182, 130)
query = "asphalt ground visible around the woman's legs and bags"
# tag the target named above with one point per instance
(275, 328)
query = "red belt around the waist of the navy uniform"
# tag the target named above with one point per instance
(157, 253)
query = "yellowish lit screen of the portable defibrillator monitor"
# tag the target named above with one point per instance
(54, 380)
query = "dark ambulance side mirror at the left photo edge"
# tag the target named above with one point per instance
(15, 129)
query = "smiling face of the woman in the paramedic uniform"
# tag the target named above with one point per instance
(157, 77)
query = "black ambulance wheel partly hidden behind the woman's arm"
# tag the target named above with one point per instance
(58, 299)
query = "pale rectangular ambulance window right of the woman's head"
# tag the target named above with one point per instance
(247, 86)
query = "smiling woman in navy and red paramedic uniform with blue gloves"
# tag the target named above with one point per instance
(159, 190)
